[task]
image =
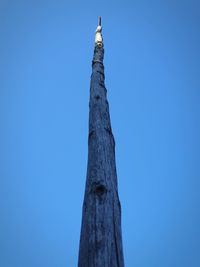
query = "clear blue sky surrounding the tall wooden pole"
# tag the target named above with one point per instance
(152, 65)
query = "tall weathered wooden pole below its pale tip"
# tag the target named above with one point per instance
(101, 238)
